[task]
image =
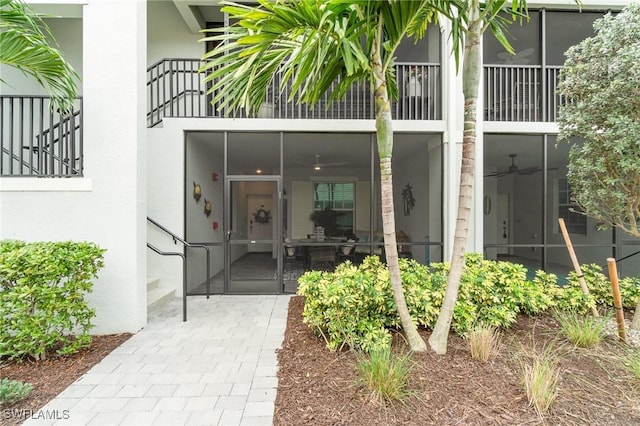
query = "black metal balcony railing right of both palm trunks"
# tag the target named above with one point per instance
(521, 93)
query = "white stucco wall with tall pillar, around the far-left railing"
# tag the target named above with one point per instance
(108, 205)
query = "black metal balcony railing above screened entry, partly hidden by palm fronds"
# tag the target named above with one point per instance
(175, 89)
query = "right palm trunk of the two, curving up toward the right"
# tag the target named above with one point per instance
(471, 78)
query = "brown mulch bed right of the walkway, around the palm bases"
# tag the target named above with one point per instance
(319, 387)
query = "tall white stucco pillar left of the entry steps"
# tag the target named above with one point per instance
(114, 52)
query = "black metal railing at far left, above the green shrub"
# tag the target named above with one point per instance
(38, 141)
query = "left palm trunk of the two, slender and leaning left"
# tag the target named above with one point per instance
(384, 129)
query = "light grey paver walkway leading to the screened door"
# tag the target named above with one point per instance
(218, 368)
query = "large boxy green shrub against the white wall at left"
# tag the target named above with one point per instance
(42, 288)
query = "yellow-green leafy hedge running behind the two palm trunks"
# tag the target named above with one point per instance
(353, 306)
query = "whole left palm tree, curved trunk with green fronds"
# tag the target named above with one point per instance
(313, 44)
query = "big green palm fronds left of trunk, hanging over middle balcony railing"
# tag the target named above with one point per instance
(309, 44)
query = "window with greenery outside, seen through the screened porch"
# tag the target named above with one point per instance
(333, 207)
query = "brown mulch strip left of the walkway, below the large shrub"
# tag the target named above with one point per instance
(51, 376)
